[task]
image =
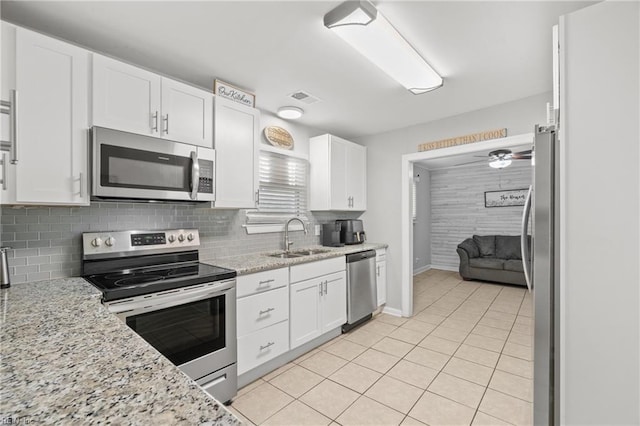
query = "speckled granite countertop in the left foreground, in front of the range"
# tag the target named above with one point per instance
(64, 359)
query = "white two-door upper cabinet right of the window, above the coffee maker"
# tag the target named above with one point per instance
(338, 174)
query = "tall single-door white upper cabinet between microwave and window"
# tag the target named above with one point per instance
(236, 141)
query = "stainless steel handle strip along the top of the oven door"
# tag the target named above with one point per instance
(167, 300)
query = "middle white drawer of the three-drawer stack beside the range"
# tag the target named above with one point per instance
(262, 310)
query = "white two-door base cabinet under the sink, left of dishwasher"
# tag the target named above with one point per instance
(318, 300)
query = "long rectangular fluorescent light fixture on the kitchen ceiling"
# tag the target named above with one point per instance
(361, 25)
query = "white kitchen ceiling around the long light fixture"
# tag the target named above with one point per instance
(487, 52)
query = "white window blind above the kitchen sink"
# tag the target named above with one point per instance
(282, 191)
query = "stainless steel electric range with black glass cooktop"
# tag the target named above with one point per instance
(153, 281)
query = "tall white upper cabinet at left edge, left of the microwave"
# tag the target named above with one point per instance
(51, 79)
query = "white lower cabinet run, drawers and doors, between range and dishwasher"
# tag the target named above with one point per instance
(274, 316)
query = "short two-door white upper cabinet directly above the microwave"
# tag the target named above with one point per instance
(135, 100)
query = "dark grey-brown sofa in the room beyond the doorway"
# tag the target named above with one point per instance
(494, 258)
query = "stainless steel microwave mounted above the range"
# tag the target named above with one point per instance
(135, 167)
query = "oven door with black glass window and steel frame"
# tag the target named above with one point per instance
(194, 327)
